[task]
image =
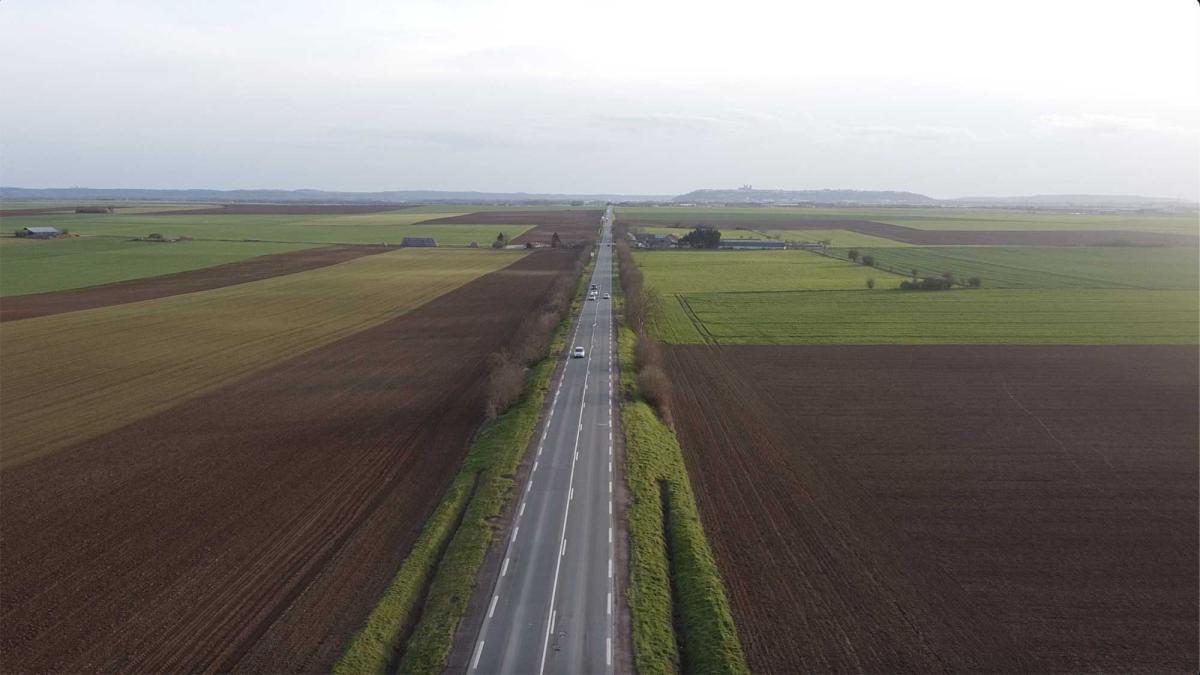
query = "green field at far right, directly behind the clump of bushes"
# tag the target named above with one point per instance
(1063, 267)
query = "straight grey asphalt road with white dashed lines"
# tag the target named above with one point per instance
(553, 605)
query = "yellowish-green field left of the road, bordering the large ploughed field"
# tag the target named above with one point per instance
(74, 377)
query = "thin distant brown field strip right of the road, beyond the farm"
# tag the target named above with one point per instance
(958, 237)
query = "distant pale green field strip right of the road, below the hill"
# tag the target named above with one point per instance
(916, 218)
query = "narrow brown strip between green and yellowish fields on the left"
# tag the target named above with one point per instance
(206, 279)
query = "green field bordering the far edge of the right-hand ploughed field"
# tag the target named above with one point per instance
(1091, 316)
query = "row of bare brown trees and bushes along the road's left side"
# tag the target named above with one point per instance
(531, 342)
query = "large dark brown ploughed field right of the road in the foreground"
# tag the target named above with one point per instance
(950, 509)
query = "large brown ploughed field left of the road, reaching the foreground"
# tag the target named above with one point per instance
(254, 529)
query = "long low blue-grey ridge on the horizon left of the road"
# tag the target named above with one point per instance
(311, 196)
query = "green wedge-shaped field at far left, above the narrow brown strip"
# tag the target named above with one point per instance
(59, 265)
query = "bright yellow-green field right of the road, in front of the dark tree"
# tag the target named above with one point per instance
(677, 274)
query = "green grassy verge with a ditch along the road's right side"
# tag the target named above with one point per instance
(681, 616)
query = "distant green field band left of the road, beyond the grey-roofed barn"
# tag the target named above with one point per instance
(356, 229)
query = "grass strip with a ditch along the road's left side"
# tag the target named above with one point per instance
(453, 545)
